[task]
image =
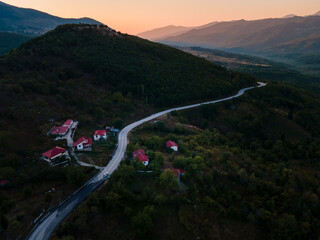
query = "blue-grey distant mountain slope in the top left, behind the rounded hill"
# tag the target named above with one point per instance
(29, 21)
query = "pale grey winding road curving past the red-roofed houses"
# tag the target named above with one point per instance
(45, 227)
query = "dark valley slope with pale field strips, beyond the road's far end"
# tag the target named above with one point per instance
(263, 68)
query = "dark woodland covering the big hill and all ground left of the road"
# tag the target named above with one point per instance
(96, 76)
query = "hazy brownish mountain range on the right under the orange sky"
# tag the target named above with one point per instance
(291, 39)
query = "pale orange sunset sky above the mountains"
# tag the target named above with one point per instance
(135, 16)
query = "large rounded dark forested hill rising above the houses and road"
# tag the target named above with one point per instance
(160, 75)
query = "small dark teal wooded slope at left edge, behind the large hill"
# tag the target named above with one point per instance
(9, 41)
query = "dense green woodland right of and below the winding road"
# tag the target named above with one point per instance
(252, 172)
